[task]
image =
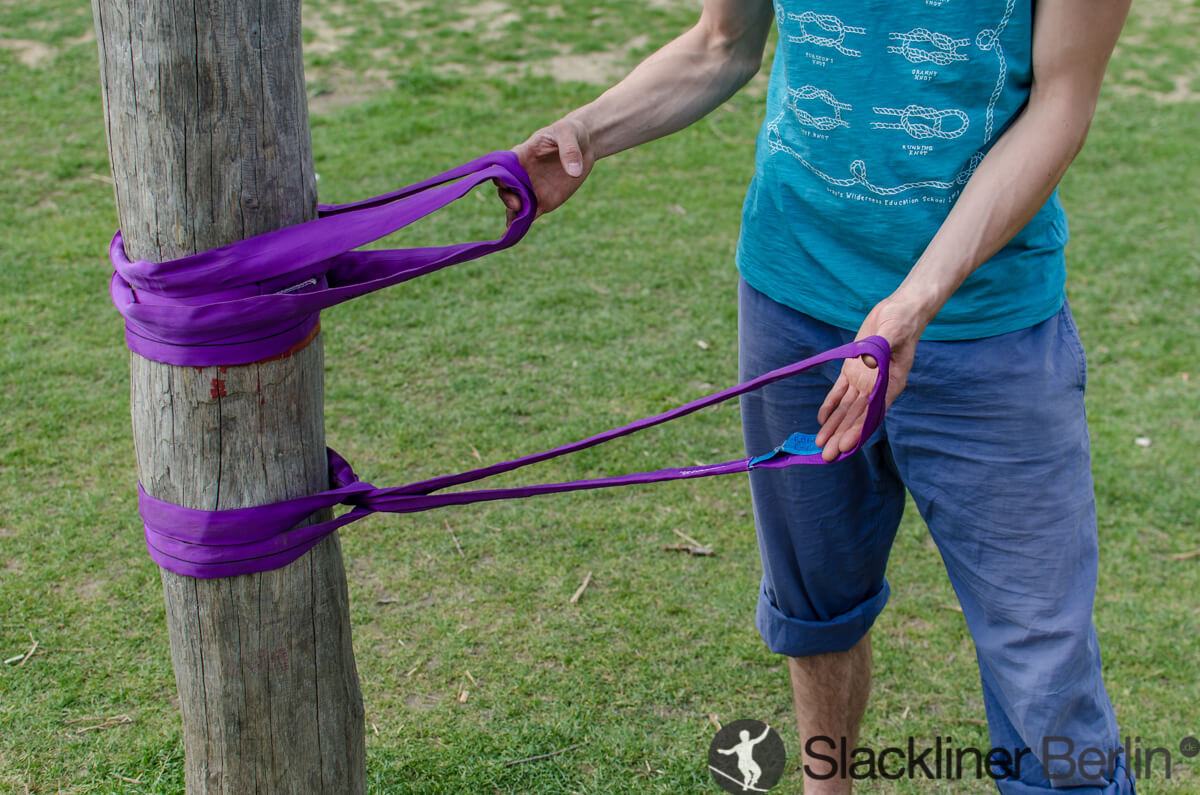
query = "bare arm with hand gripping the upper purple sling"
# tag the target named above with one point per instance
(677, 86)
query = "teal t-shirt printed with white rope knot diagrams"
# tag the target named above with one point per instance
(878, 113)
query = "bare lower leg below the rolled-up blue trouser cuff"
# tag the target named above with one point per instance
(830, 694)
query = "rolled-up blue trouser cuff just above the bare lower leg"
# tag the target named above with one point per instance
(805, 638)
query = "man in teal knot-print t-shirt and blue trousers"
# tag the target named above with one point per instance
(905, 187)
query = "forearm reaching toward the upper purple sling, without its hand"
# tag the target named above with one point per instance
(683, 81)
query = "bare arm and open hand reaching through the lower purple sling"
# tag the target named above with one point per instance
(1072, 44)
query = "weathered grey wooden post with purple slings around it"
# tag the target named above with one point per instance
(208, 134)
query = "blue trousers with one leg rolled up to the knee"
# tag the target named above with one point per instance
(991, 438)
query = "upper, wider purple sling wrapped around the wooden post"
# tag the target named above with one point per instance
(257, 298)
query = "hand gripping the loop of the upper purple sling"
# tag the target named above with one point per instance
(559, 159)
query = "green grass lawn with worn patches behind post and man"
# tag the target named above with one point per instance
(591, 322)
